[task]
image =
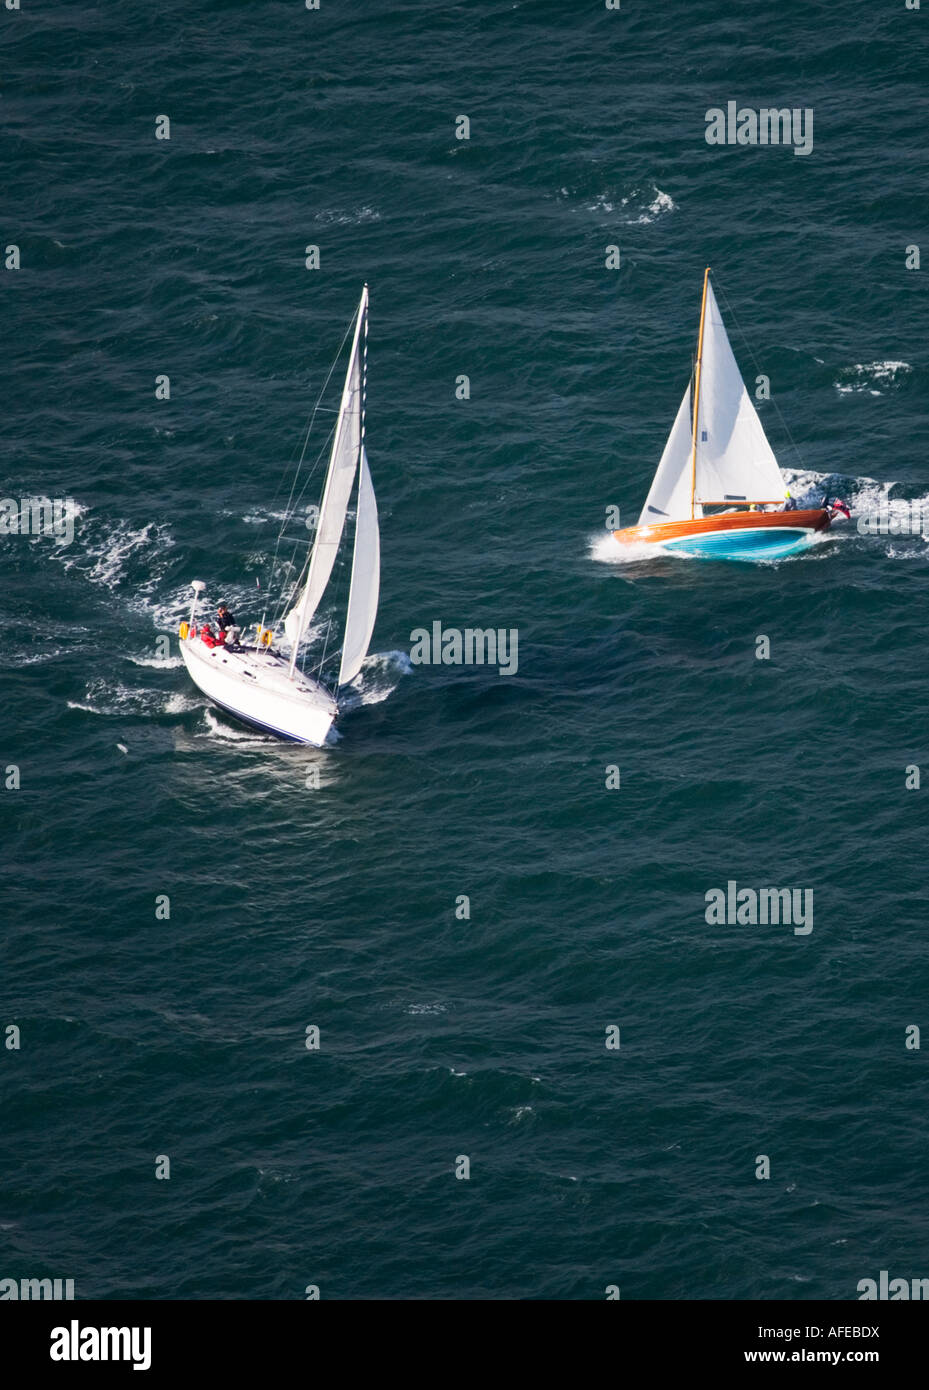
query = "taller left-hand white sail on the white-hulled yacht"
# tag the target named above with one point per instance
(336, 496)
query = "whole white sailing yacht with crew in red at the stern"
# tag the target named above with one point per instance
(261, 685)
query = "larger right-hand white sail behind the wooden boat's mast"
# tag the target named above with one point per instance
(735, 462)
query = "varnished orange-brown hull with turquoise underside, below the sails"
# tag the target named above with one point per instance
(736, 536)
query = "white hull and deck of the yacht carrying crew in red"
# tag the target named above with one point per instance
(255, 687)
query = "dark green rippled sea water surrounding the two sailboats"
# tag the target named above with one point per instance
(336, 907)
